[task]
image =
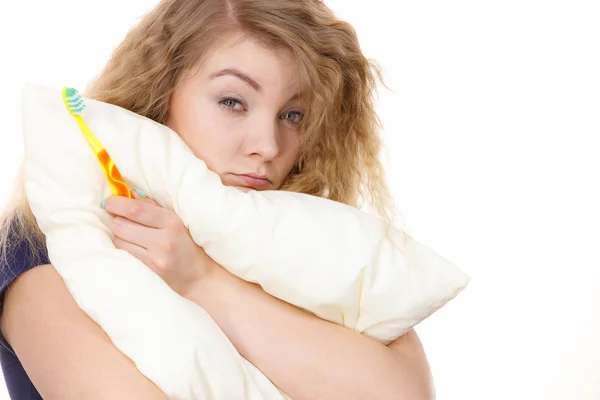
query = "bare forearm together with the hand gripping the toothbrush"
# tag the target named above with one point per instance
(306, 357)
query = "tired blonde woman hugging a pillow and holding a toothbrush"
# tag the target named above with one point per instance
(271, 94)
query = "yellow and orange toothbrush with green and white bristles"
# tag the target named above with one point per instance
(75, 105)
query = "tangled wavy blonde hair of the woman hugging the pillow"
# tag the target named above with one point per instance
(341, 143)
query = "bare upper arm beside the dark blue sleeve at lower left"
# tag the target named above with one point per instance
(64, 352)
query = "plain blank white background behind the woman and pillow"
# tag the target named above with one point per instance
(493, 131)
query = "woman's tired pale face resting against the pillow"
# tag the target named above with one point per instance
(240, 113)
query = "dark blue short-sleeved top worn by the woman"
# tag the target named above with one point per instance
(20, 259)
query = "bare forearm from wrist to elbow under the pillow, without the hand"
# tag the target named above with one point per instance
(309, 358)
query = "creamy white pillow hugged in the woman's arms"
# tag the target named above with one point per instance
(342, 264)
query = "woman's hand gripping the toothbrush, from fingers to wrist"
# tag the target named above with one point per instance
(158, 238)
